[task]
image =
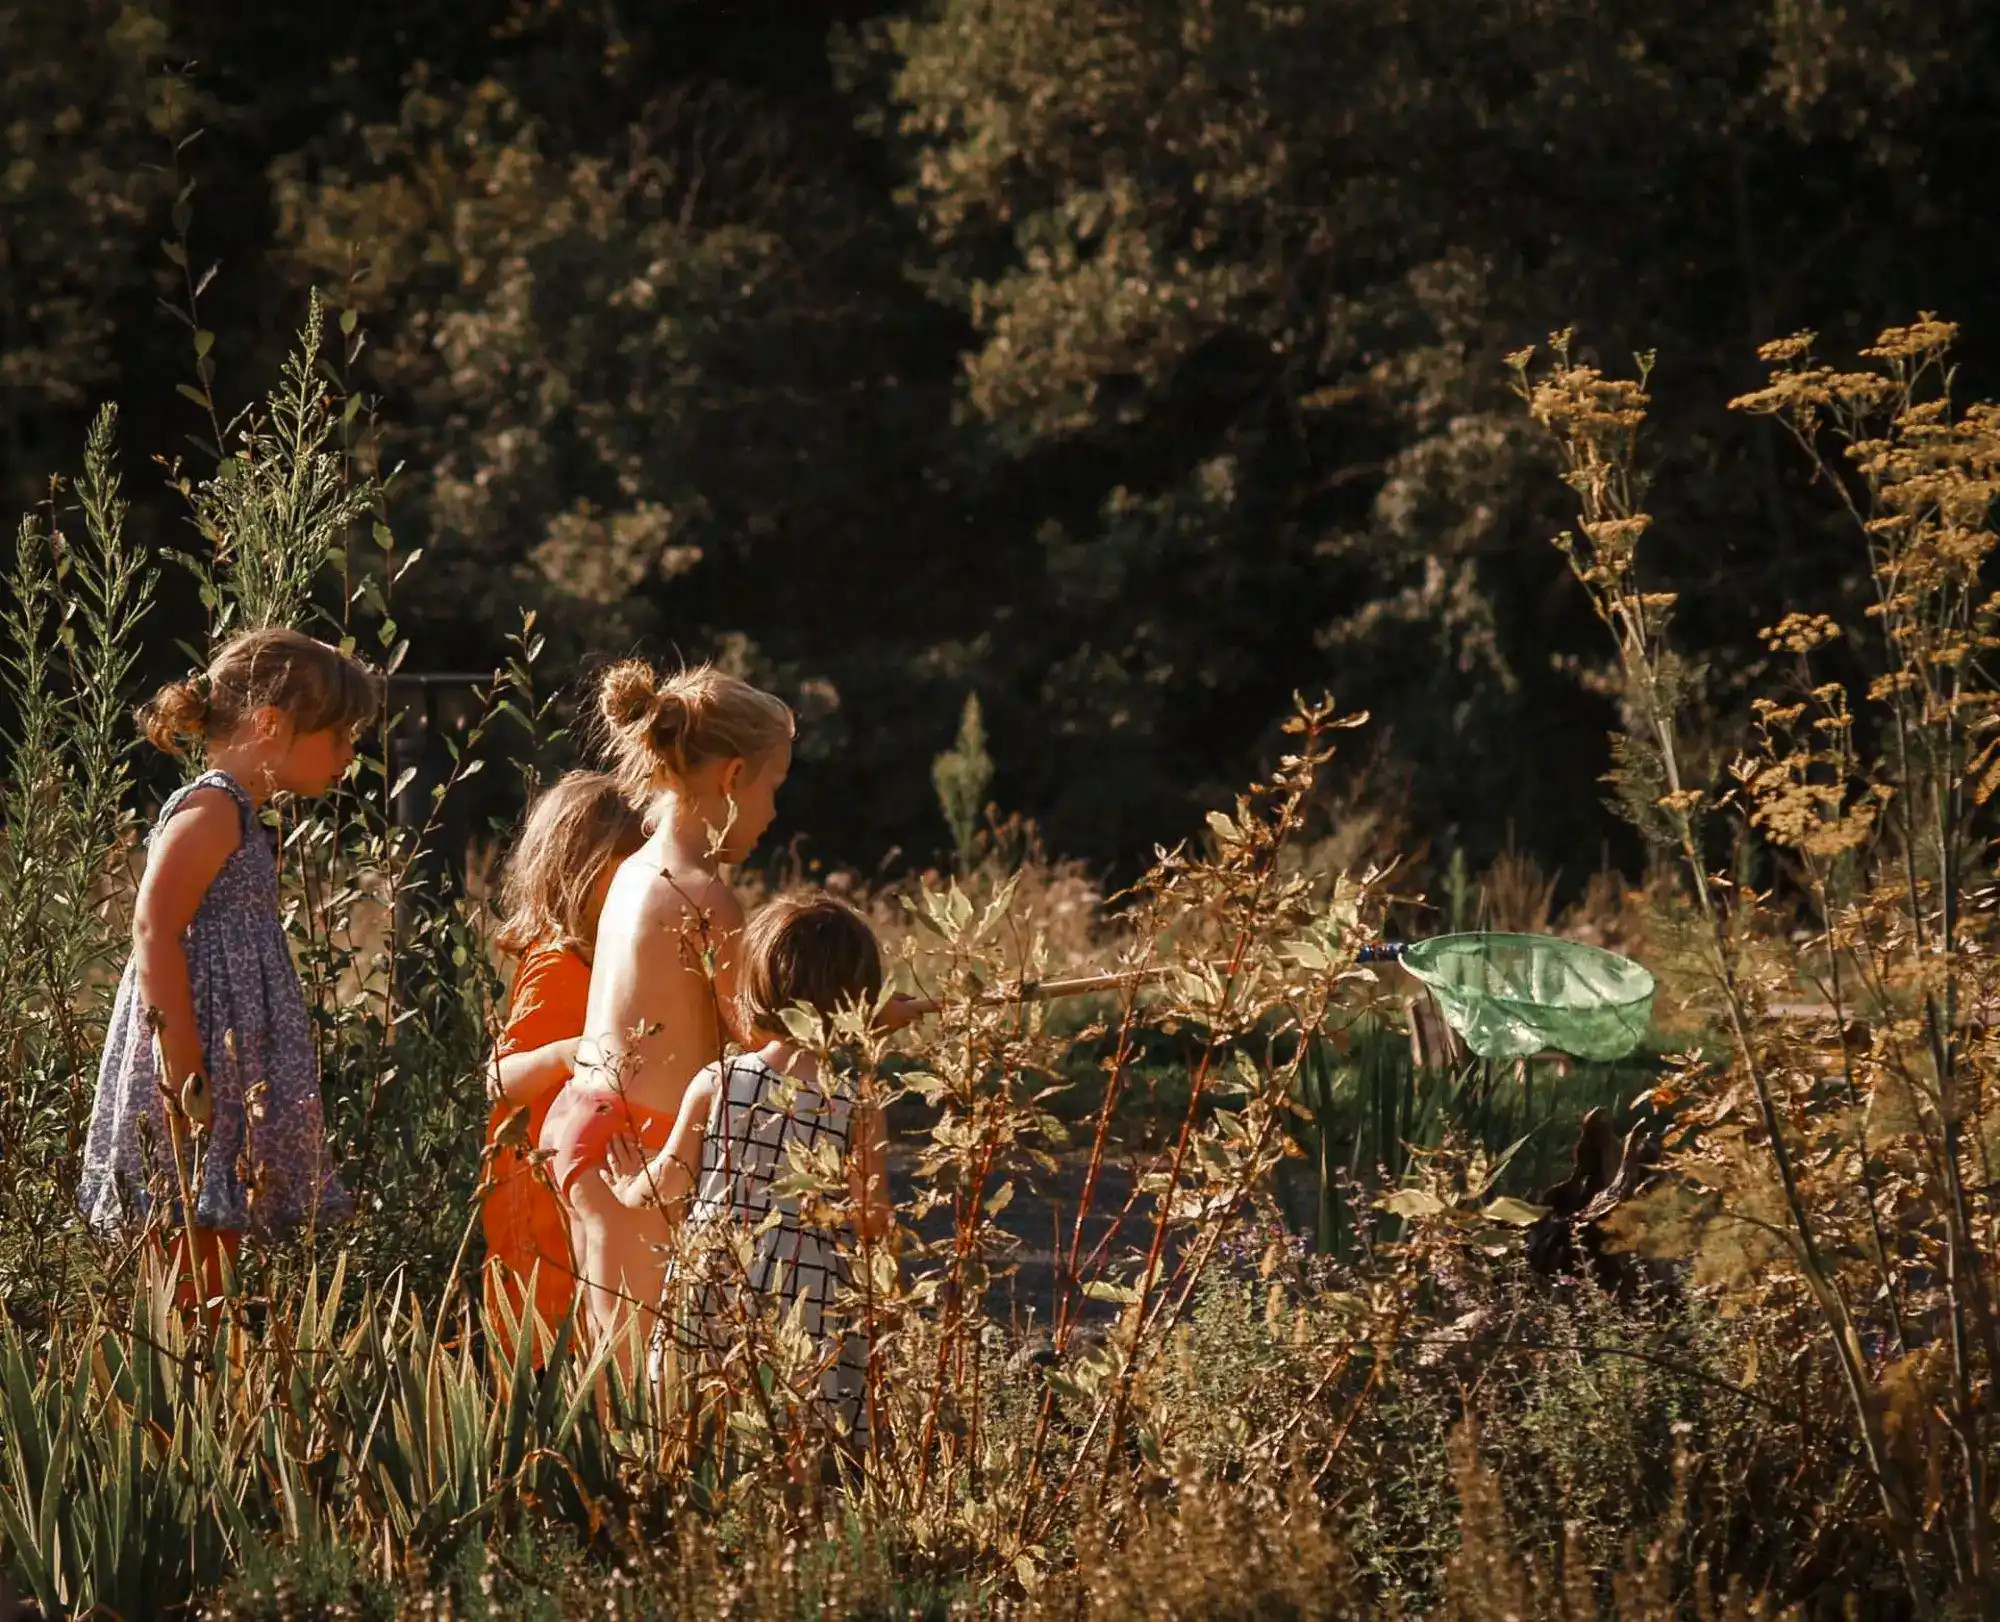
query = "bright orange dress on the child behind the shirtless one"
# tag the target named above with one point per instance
(525, 1223)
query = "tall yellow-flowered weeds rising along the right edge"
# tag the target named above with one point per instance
(1833, 1165)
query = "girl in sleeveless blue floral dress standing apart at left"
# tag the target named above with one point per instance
(211, 989)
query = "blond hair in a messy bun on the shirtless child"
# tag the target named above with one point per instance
(661, 729)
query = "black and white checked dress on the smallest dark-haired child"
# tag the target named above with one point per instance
(755, 1117)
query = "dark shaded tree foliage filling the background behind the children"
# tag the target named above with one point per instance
(1125, 363)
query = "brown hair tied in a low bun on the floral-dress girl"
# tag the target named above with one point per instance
(317, 687)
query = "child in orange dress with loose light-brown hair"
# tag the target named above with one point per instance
(553, 893)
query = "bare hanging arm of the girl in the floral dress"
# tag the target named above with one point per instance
(187, 855)
